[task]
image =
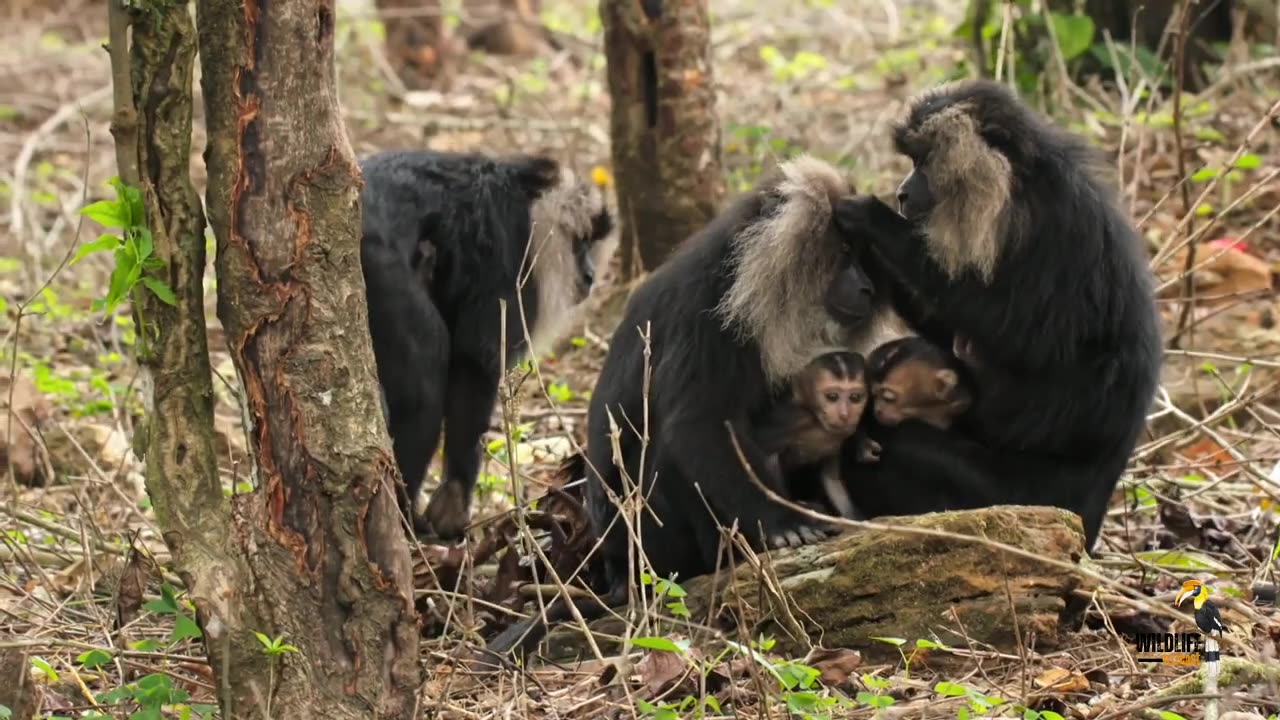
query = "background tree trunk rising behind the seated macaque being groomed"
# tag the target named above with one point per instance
(665, 133)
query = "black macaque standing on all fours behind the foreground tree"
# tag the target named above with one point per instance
(472, 229)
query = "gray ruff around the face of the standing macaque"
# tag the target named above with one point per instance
(560, 216)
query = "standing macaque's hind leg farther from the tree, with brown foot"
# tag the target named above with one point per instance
(469, 405)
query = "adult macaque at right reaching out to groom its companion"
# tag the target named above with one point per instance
(1013, 240)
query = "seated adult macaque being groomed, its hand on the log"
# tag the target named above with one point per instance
(742, 307)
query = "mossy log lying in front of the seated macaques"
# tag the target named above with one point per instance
(884, 584)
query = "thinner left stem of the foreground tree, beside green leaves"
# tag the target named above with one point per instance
(153, 94)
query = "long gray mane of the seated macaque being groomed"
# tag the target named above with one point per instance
(784, 266)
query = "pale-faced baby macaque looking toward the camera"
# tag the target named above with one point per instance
(824, 411)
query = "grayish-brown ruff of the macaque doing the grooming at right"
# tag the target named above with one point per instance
(971, 183)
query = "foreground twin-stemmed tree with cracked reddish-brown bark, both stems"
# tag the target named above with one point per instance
(317, 555)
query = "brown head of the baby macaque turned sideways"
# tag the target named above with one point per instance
(913, 380)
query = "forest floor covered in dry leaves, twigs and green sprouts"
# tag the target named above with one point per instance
(1201, 502)
